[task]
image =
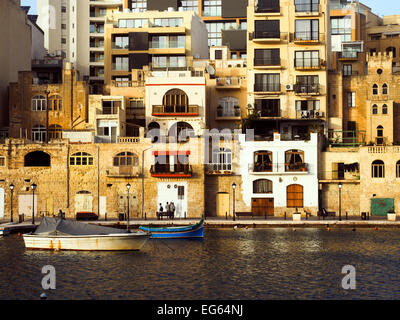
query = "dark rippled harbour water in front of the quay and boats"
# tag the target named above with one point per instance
(227, 264)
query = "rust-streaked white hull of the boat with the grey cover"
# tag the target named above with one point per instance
(115, 242)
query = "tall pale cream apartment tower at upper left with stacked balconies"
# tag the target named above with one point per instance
(75, 29)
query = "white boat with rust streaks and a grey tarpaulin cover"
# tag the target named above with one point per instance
(58, 234)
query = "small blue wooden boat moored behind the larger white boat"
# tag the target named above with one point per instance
(192, 231)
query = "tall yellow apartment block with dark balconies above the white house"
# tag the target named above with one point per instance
(287, 67)
